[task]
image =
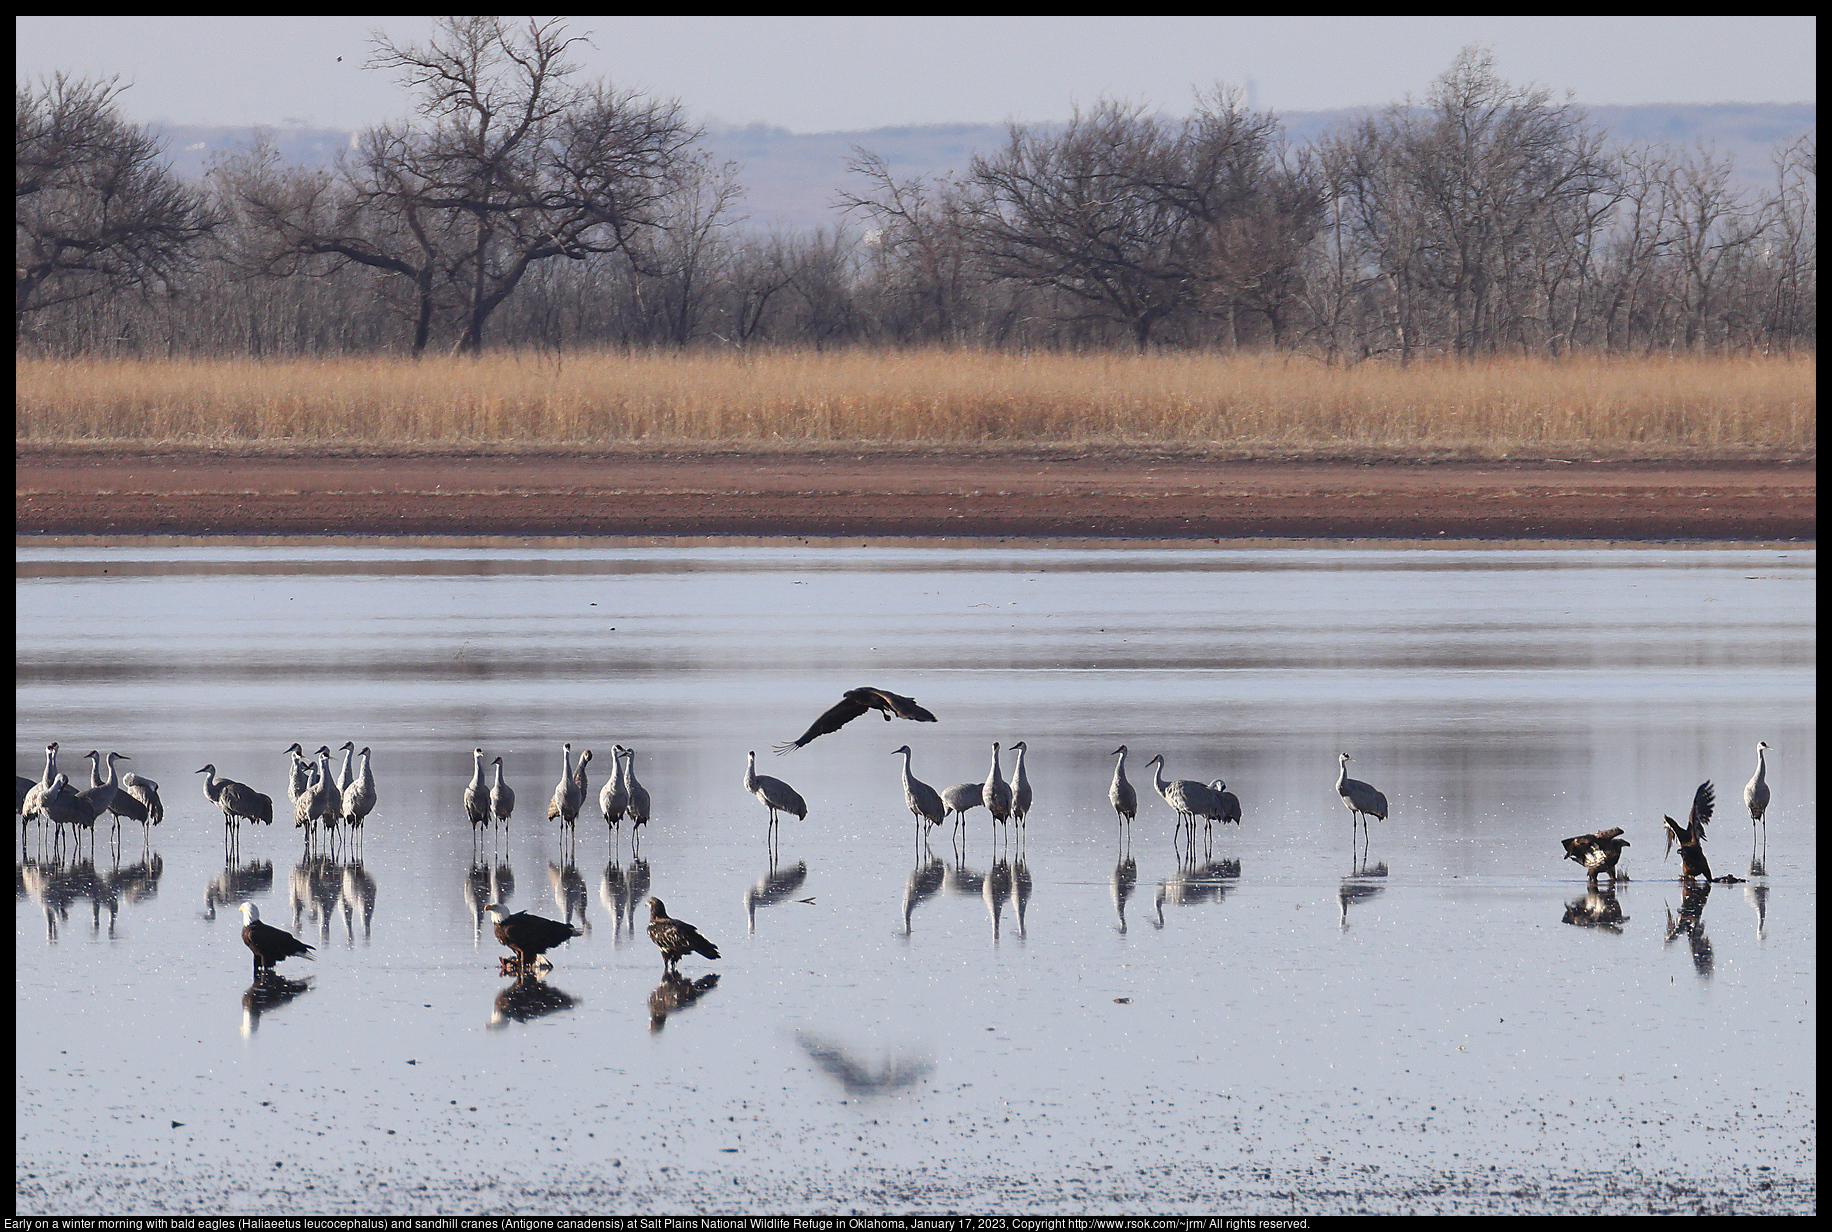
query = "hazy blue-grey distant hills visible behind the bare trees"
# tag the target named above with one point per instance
(791, 179)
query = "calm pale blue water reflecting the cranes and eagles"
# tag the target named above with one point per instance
(1446, 1022)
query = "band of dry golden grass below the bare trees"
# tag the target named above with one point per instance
(1227, 406)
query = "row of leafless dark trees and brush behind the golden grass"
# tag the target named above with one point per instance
(527, 208)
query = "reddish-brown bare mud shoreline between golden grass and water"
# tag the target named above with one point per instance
(921, 494)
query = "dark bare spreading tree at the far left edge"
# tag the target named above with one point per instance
(96, 208)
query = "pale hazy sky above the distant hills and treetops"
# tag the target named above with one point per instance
(840, 74)
